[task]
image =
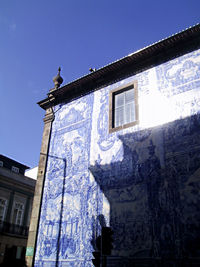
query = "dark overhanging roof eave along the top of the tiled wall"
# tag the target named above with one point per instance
(157, 53)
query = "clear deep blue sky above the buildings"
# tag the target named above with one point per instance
(38, 36)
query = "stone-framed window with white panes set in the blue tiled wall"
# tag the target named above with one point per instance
(123, 110)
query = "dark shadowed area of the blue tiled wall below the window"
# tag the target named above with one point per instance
(154, 203)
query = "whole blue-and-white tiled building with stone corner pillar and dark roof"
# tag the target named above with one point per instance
(121, 150)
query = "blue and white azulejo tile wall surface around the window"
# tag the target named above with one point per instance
(143, 181)
